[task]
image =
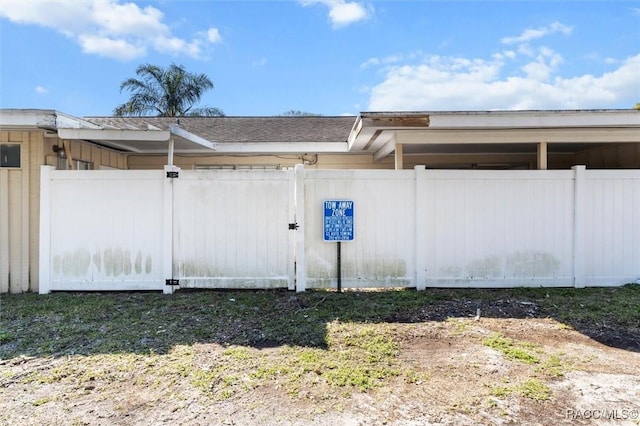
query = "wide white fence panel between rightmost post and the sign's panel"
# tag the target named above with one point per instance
(507, 228)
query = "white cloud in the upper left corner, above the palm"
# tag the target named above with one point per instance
(110, 28)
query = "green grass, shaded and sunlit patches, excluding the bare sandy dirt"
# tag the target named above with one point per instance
(347, 342)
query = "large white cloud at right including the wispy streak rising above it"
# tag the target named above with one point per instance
(509, 79)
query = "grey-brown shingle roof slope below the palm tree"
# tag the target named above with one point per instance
(244, 129)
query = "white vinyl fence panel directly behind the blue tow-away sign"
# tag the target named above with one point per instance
(382, 253)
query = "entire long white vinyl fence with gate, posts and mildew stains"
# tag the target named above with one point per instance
(129, 230)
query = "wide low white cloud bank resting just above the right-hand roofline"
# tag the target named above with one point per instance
(459, 84)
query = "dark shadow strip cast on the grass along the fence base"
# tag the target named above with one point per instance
(61, 324)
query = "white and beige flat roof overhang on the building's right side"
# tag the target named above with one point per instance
(453, 132)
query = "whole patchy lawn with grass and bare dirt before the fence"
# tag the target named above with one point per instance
(532, 356)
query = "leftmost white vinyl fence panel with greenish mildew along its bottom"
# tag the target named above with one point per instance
(104, 230)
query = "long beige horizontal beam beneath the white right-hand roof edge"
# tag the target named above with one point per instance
(564, 135)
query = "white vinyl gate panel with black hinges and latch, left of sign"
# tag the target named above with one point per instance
(231, 229)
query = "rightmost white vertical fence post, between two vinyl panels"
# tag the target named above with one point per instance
(578, 226)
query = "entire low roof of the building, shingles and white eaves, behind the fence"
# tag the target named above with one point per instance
(377, 133)
